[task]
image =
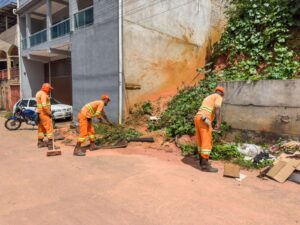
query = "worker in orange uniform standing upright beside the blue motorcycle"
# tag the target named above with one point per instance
(45, 126)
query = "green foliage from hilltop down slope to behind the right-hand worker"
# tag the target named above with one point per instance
(254, 44)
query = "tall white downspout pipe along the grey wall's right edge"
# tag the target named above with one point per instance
(120, 61)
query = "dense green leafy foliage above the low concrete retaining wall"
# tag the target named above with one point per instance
(255, 41)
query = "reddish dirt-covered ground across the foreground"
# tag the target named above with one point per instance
(137, 185)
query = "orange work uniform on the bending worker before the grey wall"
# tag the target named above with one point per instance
(86, 128)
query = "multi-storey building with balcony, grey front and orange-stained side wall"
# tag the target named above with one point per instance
(88, 47)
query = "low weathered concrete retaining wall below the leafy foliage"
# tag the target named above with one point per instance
(266, 106)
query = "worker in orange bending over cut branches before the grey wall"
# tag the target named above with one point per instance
(86, 128)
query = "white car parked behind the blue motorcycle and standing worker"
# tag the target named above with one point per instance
(60, 111)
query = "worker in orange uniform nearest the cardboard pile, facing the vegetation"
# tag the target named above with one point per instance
(211, 107)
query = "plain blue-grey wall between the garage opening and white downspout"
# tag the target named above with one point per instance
(95, 60)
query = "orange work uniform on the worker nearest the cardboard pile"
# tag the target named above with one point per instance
(203, 131)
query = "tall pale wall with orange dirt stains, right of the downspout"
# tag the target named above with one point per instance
(164, 43)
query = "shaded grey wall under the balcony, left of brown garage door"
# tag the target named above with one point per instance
(32, 77)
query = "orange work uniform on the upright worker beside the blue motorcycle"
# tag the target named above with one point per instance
(45, 127)
